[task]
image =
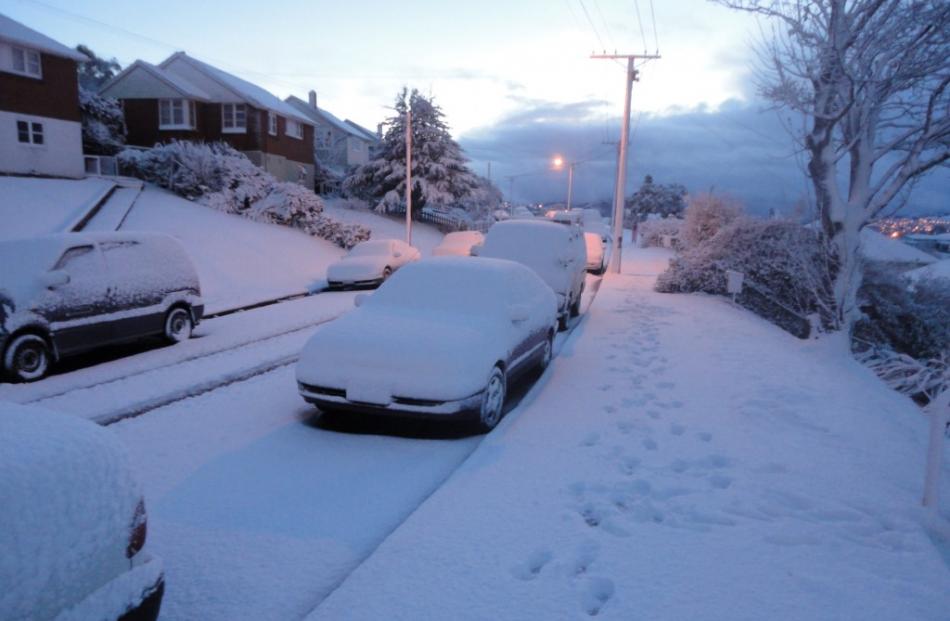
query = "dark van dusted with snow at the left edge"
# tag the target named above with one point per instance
(64, 294)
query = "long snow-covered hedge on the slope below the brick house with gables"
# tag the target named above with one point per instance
(223, 178)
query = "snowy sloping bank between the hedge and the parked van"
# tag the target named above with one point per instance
(239, 262)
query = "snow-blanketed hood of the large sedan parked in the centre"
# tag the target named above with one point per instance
(436, 357)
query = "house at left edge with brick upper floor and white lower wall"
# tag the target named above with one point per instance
(40, 125)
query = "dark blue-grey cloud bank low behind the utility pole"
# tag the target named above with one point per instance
(739, 148)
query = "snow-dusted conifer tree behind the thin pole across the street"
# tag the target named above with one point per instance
(439, 173)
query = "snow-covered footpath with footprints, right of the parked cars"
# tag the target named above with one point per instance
(685, 460)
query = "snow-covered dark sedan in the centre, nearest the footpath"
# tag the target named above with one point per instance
(444, 337)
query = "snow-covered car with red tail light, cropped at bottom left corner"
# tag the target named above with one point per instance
(72, 523)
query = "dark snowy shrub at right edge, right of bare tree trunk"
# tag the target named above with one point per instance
(904, 334)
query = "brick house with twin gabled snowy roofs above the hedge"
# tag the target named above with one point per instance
(186, 99)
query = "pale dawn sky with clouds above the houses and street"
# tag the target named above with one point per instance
(514, 79)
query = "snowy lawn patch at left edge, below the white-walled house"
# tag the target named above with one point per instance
(32, 206)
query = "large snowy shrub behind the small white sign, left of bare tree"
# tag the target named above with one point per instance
(787, 271)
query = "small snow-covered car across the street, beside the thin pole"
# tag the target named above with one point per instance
(369, 263)
